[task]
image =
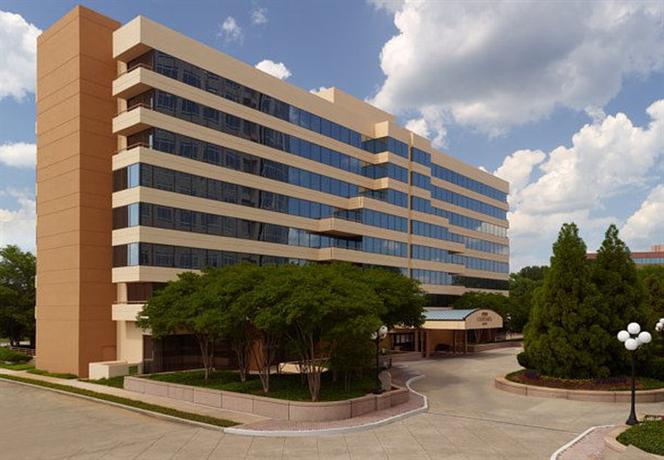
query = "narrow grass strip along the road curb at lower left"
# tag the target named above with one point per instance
(125, 401)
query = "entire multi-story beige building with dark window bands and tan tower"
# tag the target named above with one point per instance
(158, 154)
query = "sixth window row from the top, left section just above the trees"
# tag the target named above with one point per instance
(160, 255)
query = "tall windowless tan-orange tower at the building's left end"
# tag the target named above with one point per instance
(75, 144)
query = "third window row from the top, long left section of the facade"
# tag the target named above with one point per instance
(165, 141)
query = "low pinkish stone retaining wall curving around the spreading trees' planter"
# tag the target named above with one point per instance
(299, 411)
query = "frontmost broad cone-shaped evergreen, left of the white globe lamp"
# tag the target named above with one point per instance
(567, 333)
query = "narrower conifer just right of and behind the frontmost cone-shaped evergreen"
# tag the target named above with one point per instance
(620, 294)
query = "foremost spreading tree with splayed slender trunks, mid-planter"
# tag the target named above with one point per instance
(324, 305)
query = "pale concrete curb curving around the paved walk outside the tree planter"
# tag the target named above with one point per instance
(340, 430)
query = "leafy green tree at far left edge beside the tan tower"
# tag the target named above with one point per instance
(17, 294)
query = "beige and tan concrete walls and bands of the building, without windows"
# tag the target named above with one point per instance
(80, 260)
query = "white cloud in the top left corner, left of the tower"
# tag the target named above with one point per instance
(18, 51)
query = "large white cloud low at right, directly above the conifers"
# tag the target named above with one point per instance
(606, 160)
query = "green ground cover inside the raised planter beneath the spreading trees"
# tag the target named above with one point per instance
(282, 386)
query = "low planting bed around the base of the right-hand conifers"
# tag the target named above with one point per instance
(609, 384)
